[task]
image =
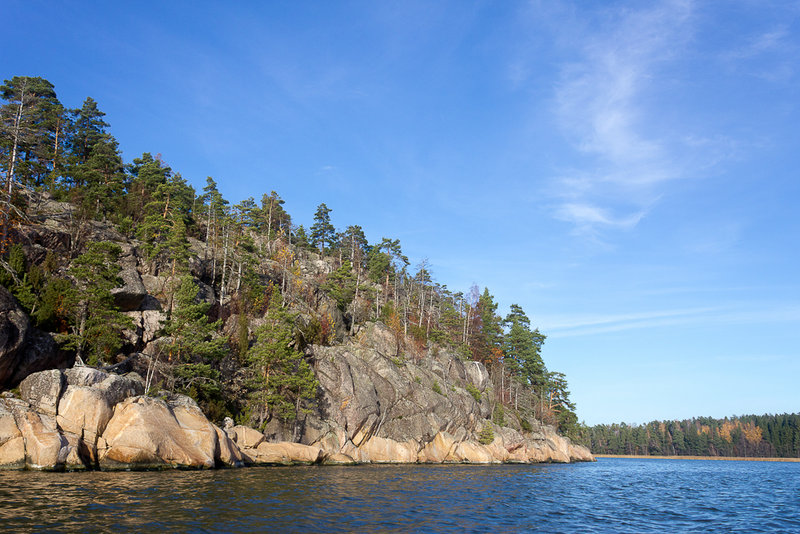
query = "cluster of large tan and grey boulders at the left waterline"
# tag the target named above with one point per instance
(85, 418)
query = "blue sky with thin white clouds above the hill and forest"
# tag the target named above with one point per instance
(627, 172)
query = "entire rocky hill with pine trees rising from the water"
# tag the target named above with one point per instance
(144, 326)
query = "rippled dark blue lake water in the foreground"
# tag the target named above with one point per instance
(612, 495)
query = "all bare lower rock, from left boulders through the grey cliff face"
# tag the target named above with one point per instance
(84, 418)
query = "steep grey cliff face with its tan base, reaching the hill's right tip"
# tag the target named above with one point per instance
(380, 406)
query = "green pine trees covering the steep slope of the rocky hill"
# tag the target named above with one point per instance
(252, 258)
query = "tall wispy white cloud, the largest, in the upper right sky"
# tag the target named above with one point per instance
(599, 106)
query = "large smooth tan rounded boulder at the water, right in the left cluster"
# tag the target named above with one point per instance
(144, 433)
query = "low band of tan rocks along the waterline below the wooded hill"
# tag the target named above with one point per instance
(83, 418)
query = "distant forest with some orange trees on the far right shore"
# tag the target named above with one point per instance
(763, 436)
